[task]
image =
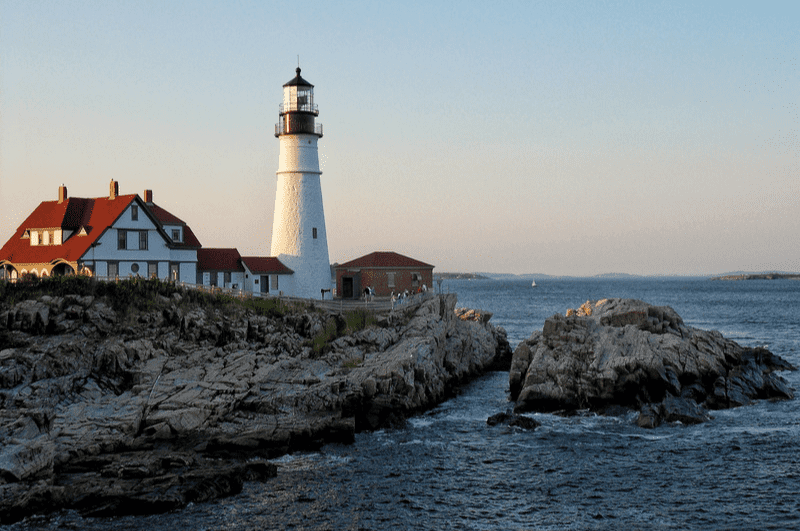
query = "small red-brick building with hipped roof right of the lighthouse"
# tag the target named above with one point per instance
(385, 272)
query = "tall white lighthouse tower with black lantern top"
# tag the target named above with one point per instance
(299, 239)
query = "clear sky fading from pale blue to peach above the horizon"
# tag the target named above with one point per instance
(563, 138)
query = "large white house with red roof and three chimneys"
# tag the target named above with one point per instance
(113, 236)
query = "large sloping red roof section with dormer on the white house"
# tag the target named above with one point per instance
(94, 215)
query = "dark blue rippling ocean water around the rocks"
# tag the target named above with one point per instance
(447, 469)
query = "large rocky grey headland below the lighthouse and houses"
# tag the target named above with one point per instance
(110, 412)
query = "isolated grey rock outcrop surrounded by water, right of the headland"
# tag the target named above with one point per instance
(623, 352)
